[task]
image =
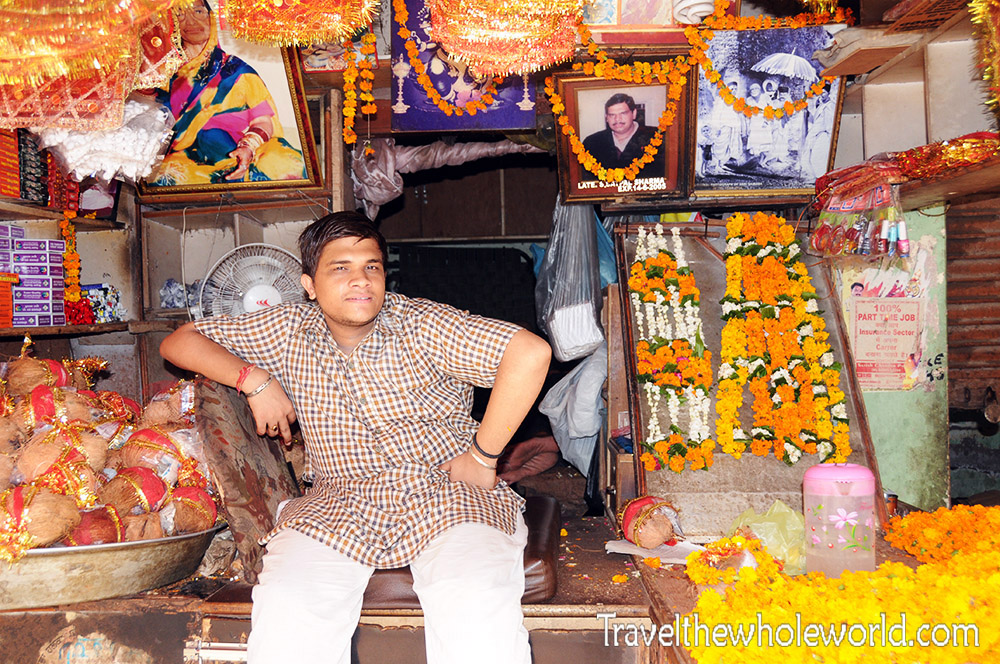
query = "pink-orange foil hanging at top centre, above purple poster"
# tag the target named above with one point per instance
(501, 37)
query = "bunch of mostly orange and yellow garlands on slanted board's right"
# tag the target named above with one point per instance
(774, 343)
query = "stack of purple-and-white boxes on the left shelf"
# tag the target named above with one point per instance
(38, 297)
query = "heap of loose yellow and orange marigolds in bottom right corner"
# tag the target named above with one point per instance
(951, 602)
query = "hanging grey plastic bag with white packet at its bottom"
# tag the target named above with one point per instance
(567, 293)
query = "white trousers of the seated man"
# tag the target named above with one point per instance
(469, 580)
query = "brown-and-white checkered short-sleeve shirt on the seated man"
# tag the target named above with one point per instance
(377, 423)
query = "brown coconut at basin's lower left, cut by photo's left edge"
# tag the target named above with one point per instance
(32, 516)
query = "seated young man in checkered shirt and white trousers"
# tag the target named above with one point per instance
(401, 474)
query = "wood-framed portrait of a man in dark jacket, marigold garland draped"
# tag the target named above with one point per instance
(612, 123)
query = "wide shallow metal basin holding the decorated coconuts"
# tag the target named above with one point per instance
(65, 575)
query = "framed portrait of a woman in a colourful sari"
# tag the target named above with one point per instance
(241, 124)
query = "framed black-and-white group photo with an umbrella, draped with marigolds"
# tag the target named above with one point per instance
(760, 155)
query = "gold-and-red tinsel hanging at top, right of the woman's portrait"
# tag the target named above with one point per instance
(297, 22)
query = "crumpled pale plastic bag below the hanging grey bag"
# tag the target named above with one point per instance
(573, 406)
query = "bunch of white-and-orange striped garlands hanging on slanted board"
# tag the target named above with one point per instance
(671, 358)
